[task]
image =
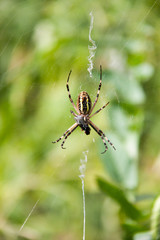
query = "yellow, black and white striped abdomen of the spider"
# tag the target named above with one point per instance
(84, 103)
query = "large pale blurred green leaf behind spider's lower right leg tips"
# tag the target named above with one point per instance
(121, 165)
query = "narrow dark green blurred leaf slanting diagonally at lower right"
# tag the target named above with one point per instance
(119, 196)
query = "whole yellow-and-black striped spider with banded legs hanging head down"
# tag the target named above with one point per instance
(84, 109)
